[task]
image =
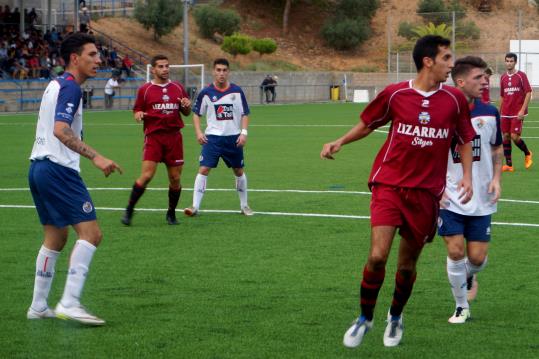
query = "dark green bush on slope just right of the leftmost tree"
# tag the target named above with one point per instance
(211, 20)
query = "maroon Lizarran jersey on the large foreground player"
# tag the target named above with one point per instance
(422, 127)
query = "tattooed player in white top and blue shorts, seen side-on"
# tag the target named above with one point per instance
(60, 195)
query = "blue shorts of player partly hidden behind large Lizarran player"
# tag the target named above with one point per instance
(474, 228)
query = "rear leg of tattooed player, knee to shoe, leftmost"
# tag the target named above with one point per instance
(53, 243)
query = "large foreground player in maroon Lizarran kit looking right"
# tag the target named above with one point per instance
(408, 175)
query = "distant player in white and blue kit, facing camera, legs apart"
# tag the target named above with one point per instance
(227, 116)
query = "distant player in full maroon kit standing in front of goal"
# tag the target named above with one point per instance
(159, 105)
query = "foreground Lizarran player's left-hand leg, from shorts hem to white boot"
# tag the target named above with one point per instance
(373, 278)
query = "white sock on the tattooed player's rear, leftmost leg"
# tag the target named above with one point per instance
(45, 262)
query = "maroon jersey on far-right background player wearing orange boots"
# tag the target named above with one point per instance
(513, 89)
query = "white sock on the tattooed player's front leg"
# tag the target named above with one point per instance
(81, 256)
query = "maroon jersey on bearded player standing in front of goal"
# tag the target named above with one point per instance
(161, 103)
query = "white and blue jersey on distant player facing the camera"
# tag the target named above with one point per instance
(223, 109)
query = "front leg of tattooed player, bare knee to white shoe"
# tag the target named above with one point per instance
(69, 307)
